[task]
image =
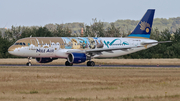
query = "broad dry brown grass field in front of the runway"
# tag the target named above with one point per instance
(22, 83)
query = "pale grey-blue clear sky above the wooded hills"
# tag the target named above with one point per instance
(42, 12)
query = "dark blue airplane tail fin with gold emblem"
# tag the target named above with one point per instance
(143, 29)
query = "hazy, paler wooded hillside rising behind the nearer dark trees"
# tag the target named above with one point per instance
(125, 26)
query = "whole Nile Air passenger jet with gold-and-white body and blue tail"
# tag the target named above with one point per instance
(81, 49)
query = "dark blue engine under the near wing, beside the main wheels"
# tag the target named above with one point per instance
(76, 57)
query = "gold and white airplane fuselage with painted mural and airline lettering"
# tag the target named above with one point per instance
(57, 47)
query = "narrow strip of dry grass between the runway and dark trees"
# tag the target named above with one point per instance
(101, 61)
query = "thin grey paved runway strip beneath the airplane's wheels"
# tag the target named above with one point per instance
(51, 65)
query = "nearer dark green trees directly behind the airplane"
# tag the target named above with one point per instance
(165, 50)
